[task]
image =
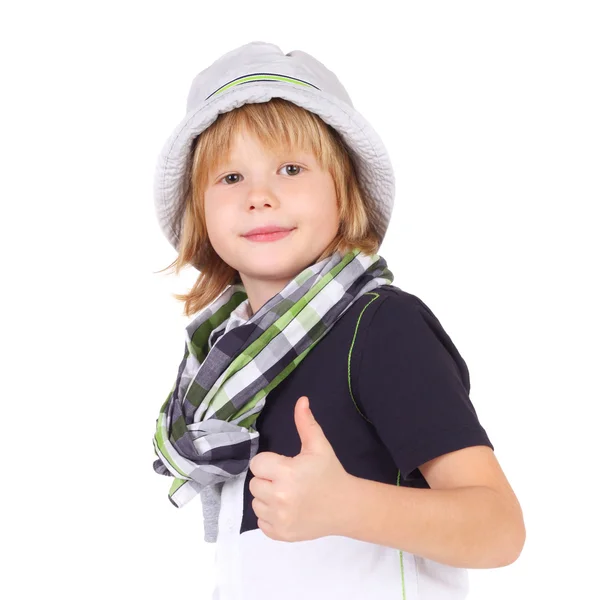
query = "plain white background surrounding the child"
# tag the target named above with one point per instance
(489, 111)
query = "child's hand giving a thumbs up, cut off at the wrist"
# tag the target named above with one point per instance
(301, 497)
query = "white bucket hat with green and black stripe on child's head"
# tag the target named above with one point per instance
(257, 72)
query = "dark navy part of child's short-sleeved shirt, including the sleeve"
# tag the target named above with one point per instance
(387, 386)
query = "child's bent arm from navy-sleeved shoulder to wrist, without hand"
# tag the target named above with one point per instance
(412, 385)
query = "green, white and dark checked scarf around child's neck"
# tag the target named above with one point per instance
(204, 431)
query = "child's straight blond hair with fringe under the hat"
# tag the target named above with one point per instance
(279, 125)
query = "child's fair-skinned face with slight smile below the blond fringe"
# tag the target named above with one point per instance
(255, 189)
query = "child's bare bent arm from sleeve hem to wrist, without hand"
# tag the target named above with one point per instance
(469, 518)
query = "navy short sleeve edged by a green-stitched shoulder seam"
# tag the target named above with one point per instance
(413, 385)
